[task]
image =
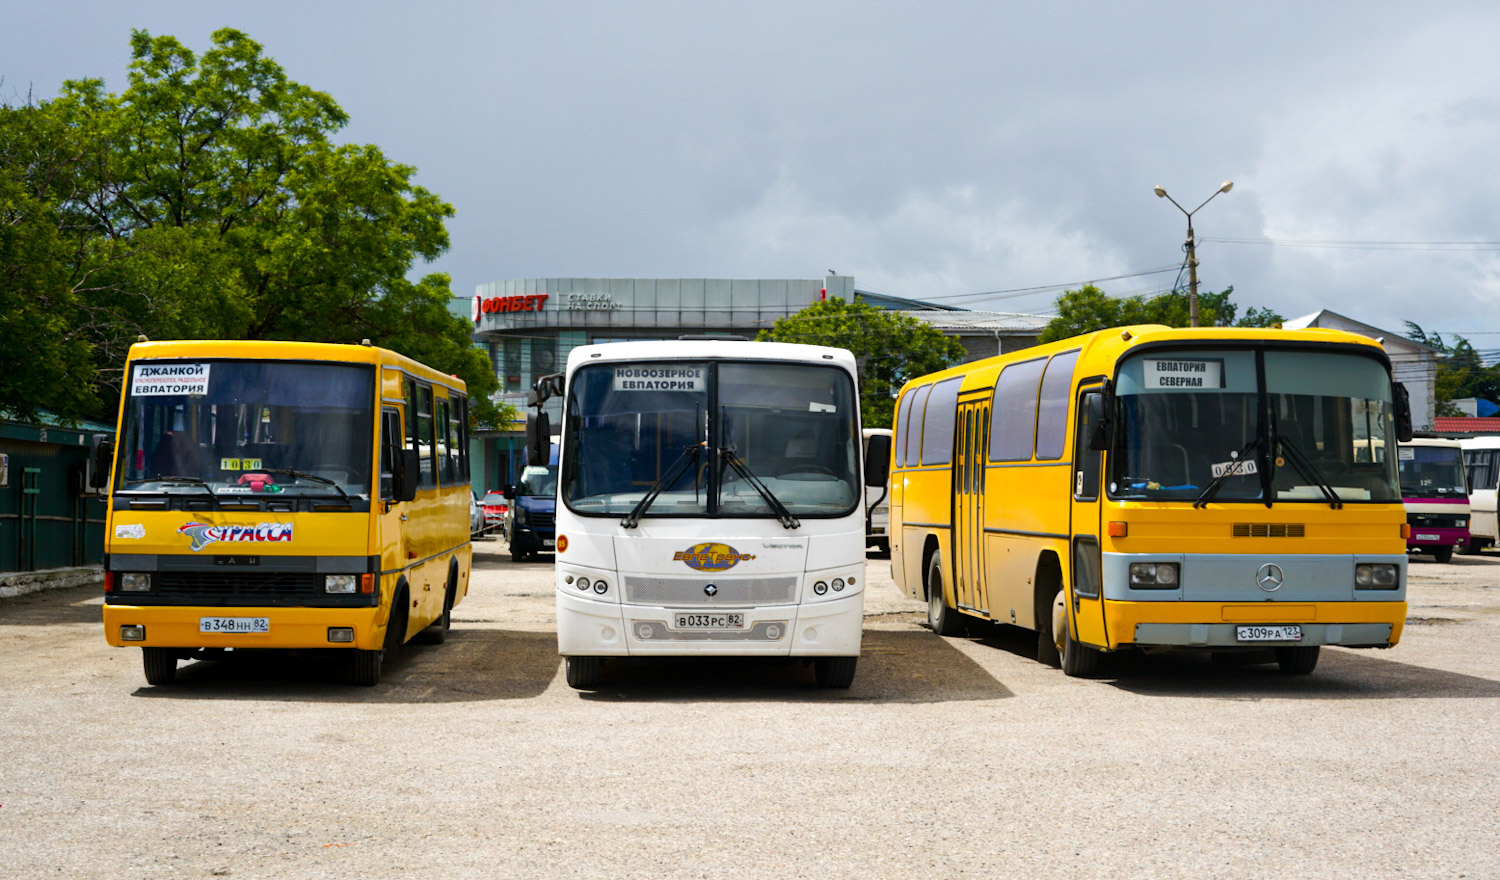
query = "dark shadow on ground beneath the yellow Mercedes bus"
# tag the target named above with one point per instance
(1342, 675)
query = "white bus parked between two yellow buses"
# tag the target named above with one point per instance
(710, 503)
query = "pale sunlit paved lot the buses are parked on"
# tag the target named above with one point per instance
(950, 758)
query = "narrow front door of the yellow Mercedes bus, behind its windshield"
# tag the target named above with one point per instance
(1085, 567)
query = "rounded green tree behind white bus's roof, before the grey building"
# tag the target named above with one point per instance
(890, 349)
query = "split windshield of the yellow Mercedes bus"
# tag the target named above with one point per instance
(1231, 425)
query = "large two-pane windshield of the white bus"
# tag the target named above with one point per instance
(751, 440)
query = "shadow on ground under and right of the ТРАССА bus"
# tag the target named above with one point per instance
(472, 666)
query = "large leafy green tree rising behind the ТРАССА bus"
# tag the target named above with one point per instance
(208, 202)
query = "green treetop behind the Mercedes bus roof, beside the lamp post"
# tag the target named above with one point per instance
(1090, 310)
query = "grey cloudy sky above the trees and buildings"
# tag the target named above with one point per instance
(983, 155)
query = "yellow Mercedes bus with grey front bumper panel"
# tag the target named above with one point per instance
(1205, 489)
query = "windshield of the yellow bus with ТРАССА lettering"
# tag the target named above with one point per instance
(238, 428)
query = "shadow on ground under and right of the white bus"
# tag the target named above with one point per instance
(895, 668)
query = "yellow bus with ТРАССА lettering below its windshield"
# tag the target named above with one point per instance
(284, 495)
